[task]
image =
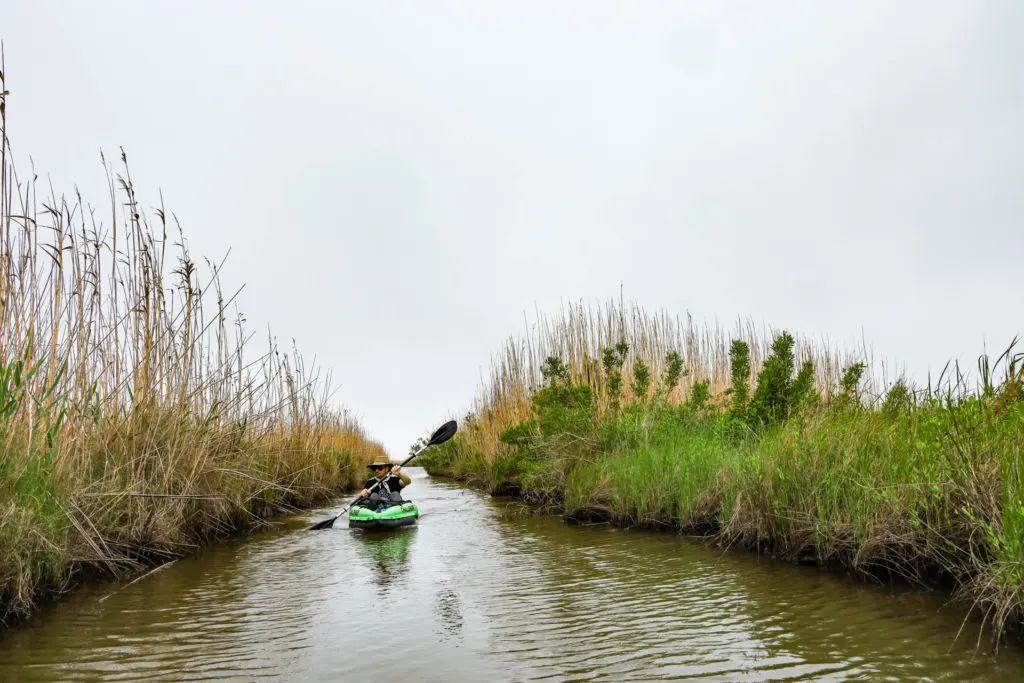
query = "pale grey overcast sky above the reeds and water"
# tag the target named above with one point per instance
(399, 182)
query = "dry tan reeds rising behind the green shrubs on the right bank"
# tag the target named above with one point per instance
(582, 336)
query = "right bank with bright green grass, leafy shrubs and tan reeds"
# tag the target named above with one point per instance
(772, 445)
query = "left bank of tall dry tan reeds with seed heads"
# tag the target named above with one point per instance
(135, 422)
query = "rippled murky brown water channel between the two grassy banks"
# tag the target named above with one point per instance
(475, 593)
